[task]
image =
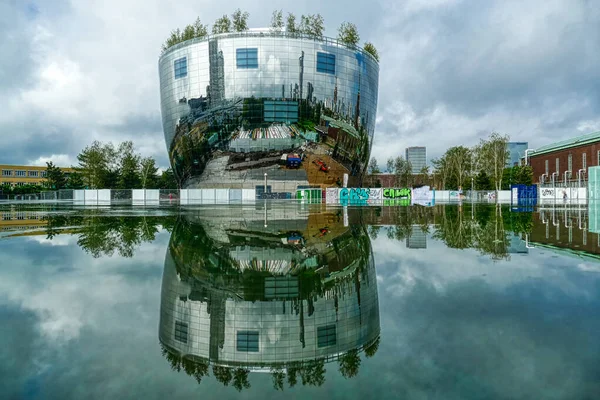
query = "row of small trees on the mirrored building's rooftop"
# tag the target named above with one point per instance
(310, 24)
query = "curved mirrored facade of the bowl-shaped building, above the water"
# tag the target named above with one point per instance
(237, 106)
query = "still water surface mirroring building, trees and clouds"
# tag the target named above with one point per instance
(276, 300)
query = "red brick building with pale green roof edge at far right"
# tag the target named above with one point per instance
(565, 162)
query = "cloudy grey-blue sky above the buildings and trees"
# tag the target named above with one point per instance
(451, 70)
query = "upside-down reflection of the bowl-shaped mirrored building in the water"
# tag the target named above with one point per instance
(296, 293)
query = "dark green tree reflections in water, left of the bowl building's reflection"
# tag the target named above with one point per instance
(103, 234)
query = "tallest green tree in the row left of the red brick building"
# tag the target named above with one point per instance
(491, 156)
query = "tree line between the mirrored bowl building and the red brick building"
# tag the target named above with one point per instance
(482, 166)
